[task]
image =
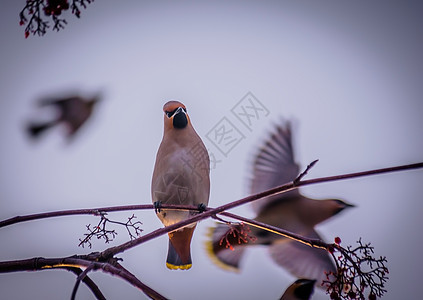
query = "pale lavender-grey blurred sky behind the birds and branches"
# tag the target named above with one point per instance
(348, 73)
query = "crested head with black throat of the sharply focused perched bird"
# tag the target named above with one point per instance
(175, 116)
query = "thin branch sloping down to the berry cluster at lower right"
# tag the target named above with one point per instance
(357, 269)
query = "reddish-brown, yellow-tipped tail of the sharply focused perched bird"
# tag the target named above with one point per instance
(179, 252)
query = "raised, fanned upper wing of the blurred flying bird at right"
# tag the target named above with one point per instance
(274, 165)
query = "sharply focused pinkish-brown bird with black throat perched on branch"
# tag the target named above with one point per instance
(181, 176)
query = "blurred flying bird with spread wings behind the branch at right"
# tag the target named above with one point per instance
(274, 165)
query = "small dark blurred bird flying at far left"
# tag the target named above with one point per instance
(73, 112)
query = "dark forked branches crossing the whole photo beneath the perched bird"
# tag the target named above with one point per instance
(105, 260)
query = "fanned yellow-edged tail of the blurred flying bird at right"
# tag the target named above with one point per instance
(224, 246)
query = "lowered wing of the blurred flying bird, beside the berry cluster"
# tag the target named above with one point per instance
(301, 260)
